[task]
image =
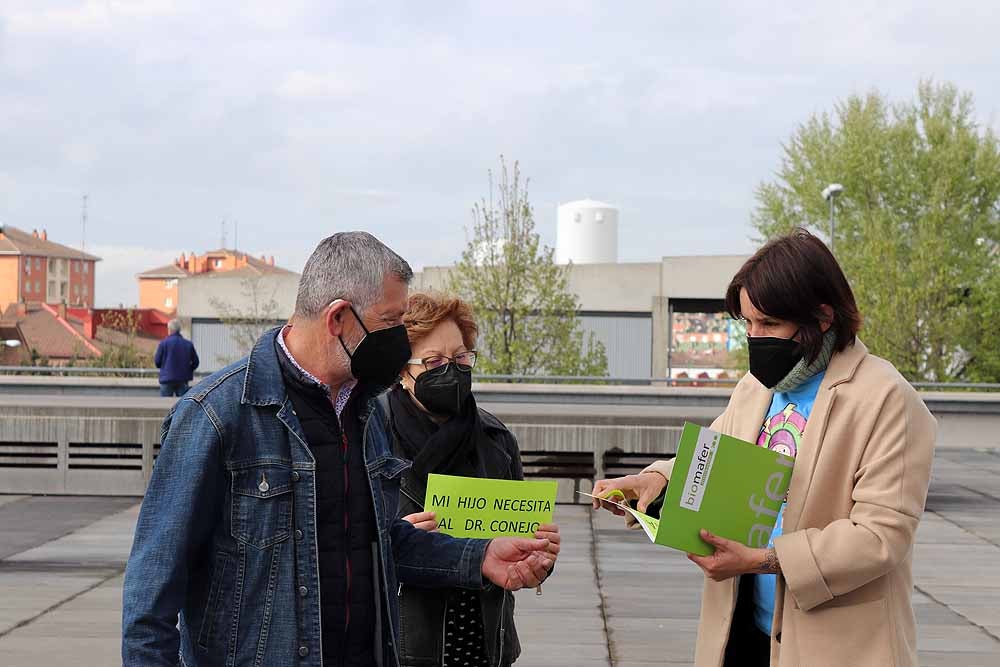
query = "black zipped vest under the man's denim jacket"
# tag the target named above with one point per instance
(345, 524)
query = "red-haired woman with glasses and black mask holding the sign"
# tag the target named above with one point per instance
(436, 423)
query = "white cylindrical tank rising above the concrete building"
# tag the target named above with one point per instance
(587, 233)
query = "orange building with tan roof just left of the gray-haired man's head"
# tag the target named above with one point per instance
(158, 288)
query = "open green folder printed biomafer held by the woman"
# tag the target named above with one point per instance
(728, 486)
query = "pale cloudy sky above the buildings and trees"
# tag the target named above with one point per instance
(298, 119)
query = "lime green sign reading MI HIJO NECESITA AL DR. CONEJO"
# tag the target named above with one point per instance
(485, 508)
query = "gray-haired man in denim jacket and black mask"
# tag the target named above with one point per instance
(269, 523)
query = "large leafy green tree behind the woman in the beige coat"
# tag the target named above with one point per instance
(916, 224)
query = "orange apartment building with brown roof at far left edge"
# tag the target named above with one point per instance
(35, 269)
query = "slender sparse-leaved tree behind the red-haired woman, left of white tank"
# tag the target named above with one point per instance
(525, 311)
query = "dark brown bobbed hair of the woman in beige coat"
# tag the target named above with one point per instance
(790, 278)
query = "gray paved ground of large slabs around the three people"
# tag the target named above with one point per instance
(615, 599)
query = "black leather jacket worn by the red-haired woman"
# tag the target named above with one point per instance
(422, 610)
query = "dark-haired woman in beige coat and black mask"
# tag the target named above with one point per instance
(834, 586)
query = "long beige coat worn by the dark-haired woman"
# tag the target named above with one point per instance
(856, 497)
